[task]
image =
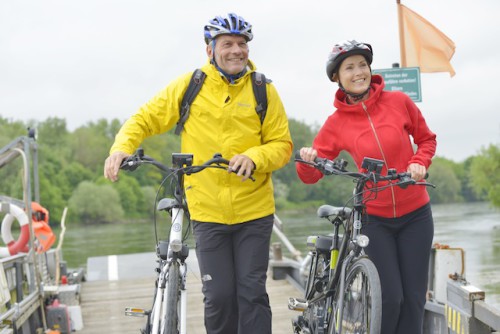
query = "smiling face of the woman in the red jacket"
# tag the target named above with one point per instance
(355, 74)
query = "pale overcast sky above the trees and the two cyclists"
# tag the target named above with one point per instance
(93, 59)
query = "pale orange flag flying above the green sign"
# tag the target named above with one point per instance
(423, 45)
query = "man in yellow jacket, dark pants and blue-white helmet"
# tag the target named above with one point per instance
(232, 220)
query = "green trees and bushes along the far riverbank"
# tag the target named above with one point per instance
(71, 174)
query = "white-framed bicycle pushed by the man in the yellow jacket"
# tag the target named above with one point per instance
(168, 312)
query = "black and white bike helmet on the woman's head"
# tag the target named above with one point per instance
(346, 49)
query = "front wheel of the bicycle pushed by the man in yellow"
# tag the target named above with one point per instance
(173, 299)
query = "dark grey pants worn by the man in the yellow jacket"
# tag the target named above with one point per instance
(233, 263)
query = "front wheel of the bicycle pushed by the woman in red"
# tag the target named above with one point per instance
(359, 307)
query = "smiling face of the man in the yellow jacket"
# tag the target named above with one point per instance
(231, 53)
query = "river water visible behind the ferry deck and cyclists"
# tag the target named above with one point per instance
(474, 227)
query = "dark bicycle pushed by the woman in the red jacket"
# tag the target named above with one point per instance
(342, 291)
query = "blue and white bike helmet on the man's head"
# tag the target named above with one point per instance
(230, 25)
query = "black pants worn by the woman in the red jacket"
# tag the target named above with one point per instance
(400, 248)
